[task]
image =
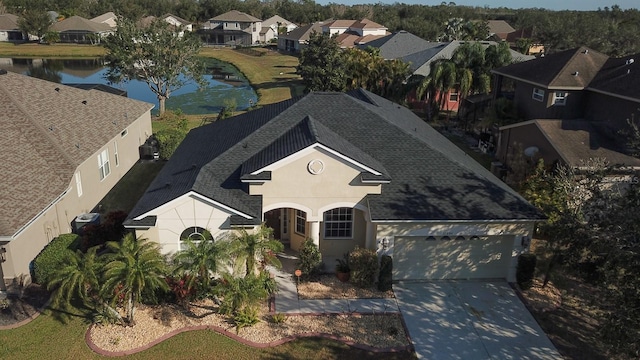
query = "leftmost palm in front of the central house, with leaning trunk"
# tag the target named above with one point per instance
(80, 277)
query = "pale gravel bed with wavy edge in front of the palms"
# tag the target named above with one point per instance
(151, 323)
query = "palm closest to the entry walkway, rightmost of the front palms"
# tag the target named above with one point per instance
(255, 250)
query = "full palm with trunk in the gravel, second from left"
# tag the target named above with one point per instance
(136, 264)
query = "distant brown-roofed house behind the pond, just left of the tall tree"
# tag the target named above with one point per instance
(79, 30)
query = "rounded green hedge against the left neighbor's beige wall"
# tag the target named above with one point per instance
(49, 260)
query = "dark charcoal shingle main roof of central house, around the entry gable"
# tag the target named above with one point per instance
(431, 178)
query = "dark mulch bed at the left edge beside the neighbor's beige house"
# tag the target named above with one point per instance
(19, 308)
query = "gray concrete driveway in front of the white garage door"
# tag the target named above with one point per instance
(470, 320)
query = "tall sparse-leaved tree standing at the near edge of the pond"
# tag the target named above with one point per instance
(156, 55)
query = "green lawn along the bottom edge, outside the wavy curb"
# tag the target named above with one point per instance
(48, 338)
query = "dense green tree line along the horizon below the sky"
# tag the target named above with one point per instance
(610, 30)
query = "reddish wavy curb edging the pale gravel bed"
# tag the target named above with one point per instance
(244, 341)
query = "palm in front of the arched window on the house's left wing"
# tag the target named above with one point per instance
(202, 259)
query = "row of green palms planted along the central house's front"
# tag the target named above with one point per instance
(126, 271)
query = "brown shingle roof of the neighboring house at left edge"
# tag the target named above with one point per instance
(47, 132)
